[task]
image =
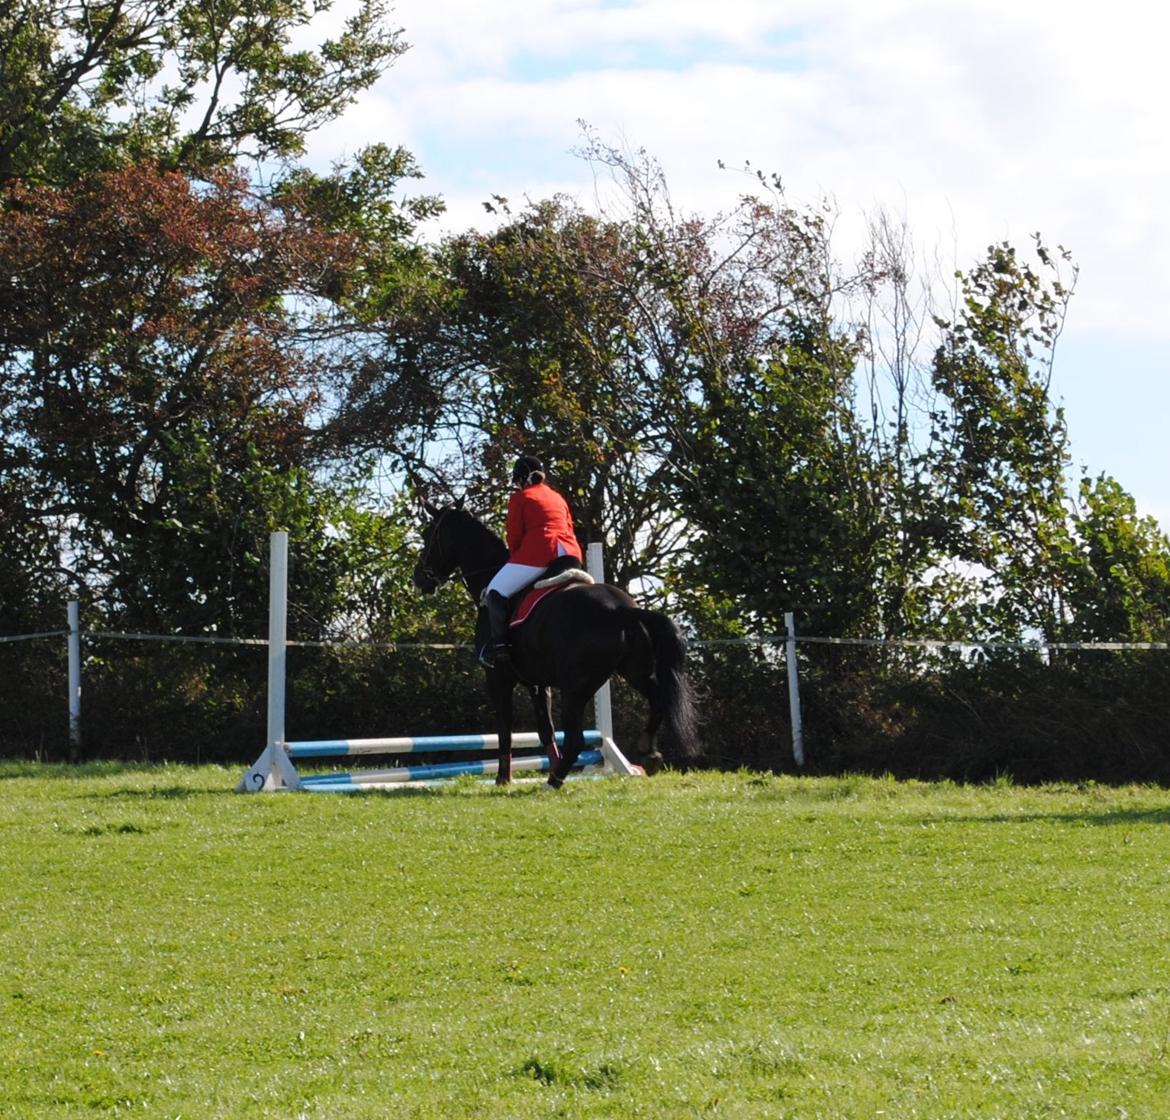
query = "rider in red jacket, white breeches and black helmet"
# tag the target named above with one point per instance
(540, 530)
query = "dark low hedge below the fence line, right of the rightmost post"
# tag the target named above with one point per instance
(1082, 717)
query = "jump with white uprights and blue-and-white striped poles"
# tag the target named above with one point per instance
(274, 769)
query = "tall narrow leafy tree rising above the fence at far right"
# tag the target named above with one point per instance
(1001, 445)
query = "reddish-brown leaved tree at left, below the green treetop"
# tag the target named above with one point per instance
(161, 396)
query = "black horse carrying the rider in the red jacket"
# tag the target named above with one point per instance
(574, 641)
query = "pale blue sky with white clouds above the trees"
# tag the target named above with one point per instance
(973, 123)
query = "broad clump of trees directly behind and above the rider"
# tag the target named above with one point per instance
(639, 353)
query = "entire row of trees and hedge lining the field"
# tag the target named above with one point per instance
(189, 362)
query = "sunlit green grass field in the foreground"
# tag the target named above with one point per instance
(687, 946)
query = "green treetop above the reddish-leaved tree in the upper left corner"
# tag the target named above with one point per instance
(92, 85)
